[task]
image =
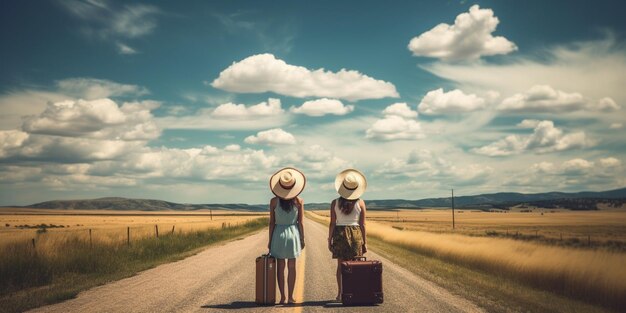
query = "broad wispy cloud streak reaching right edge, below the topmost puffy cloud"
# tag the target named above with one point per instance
(563, 67)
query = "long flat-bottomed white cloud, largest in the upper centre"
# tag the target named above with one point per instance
(264, 73)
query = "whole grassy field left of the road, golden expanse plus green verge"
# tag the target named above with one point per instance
(48, 255)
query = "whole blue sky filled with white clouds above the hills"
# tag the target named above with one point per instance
(201, 102)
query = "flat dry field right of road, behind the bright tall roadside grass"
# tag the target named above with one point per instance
(603, 228)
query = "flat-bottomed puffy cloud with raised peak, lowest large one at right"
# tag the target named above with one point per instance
(545, 138)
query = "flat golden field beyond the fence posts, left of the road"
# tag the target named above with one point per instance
(109, 226)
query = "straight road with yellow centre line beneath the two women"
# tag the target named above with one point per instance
(221, 279)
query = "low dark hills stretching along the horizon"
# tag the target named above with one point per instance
(580, 200)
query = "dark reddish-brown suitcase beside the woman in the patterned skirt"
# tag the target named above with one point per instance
(361, 282)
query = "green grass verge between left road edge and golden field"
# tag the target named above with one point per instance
(34, 277)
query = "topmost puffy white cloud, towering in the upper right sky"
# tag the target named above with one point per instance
(469, 38)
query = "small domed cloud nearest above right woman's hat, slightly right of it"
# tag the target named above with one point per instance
(393, 127)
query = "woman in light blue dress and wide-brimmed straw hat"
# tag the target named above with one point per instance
(286, 237)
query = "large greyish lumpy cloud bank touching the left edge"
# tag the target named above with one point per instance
(81, 131)
